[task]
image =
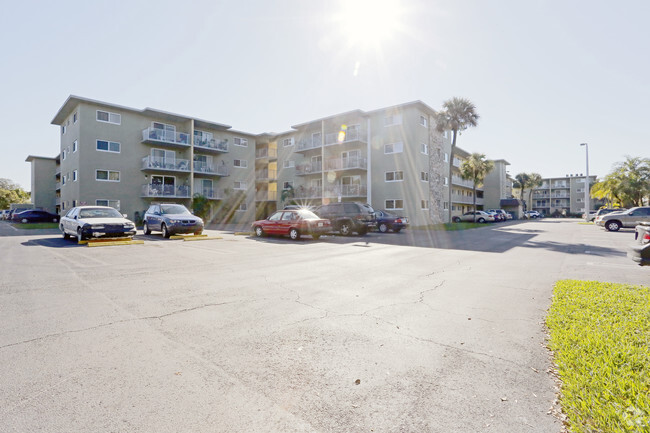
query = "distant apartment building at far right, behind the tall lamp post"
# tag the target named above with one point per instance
(562, 195)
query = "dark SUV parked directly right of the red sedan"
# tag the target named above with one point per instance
(348, 217)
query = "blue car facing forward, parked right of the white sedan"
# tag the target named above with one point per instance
(171, 219)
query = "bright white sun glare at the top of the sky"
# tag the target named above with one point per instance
(369, 23)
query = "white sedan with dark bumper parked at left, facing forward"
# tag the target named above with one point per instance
(84, 222)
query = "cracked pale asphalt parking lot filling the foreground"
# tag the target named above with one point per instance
(410, 332)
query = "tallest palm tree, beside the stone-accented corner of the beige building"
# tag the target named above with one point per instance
(457, 115)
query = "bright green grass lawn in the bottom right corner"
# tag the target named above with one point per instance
(600, 336)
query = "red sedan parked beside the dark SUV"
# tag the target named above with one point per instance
(294, 222)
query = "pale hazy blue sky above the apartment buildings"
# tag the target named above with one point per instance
(545, 76)
